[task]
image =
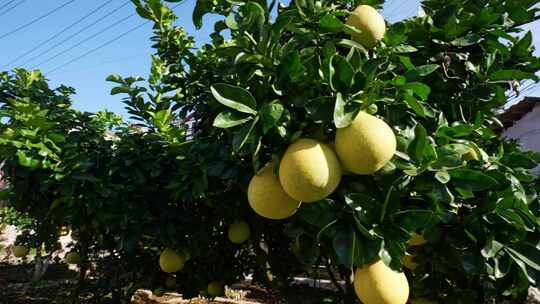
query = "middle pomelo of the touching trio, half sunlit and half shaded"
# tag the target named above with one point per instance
(309, 171)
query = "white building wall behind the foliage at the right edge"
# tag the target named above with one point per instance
(527, 131)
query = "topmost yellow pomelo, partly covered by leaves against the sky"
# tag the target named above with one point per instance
(366, 19)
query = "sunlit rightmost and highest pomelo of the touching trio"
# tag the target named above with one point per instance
(366, 145)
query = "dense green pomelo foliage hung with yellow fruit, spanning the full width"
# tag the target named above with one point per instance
(338, 139)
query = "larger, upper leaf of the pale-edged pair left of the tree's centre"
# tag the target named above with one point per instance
(234, 97)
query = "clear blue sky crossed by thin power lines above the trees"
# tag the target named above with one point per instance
(128, 56)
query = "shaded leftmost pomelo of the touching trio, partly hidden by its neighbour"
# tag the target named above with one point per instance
(267, 198)
